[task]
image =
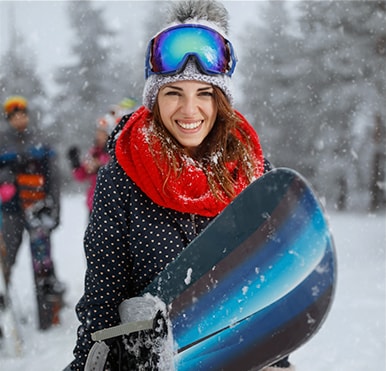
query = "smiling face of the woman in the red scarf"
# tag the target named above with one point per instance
(188, 111)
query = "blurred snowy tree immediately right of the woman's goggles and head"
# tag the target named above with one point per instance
(272, 68)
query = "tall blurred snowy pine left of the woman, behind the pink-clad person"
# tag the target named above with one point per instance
(87, 85)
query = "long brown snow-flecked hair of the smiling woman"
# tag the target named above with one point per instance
(226, 142)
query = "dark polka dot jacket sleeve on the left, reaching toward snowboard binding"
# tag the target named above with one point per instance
(108, 263)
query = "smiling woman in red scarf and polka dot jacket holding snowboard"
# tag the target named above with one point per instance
(177, 163)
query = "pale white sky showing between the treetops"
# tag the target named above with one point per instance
(45, 27)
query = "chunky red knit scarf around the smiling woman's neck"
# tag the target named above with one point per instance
(187, 192)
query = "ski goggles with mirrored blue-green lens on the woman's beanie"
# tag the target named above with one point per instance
(169, 51)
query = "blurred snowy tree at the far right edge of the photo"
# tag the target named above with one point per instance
(343, 42)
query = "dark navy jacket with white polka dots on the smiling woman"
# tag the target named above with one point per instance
(128, 241)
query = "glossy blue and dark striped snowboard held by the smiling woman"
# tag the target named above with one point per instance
(255, 285)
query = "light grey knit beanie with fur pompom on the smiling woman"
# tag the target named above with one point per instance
(209, 13)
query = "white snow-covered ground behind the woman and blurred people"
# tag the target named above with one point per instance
(352, 338)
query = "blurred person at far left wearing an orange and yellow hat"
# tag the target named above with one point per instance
(29, 176)
